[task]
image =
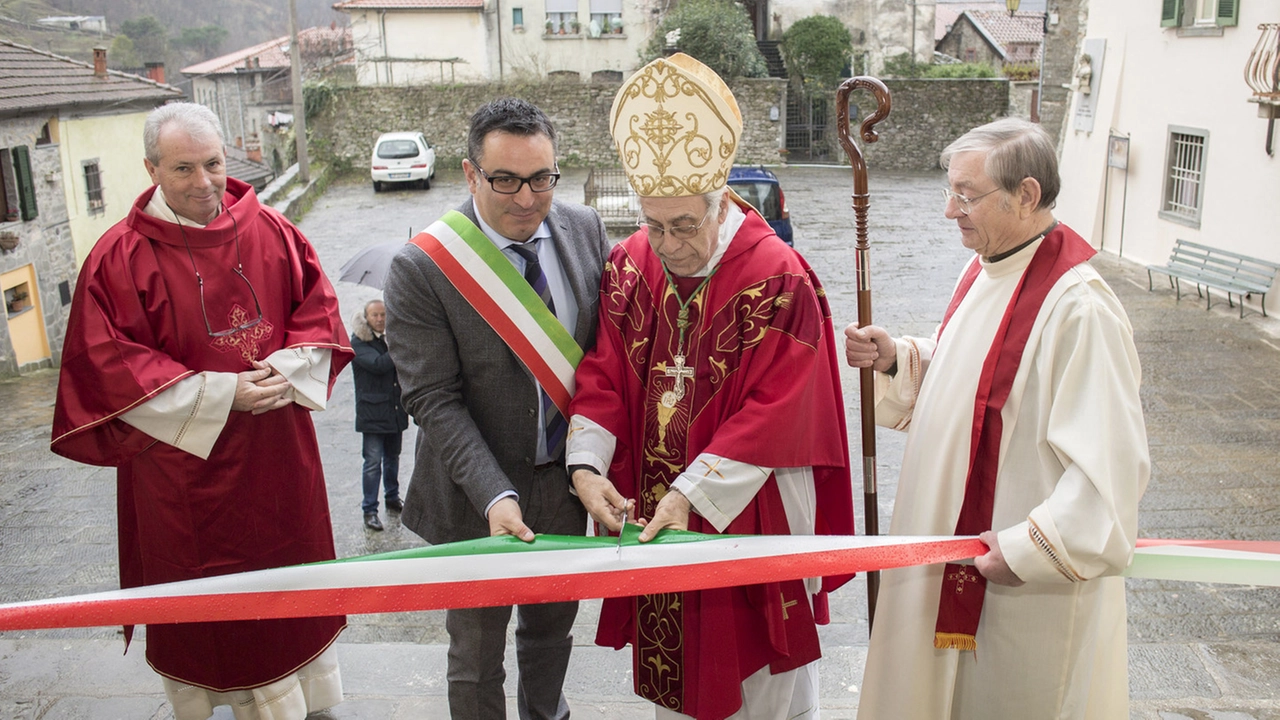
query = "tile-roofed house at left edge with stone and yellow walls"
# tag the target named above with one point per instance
(71, 165)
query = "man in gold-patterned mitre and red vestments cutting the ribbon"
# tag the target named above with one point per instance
(711, 403)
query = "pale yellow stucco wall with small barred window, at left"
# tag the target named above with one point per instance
(116, 142)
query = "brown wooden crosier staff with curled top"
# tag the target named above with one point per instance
(867, 377)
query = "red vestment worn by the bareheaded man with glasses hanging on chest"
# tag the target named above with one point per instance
(138, 327)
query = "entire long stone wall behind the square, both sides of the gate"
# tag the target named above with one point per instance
(927, 116)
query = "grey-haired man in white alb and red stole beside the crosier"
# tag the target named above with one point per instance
(1025, 427)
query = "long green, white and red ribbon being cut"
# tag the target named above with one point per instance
(505, 571)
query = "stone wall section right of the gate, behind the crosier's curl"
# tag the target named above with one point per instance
(926, 116)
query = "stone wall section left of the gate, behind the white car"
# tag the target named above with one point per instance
(355, 117)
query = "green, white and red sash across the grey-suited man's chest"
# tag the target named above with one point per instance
(502, 297)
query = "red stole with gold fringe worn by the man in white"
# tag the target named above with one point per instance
(963, 587)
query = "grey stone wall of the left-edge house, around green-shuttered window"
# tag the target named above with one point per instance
(44, 243)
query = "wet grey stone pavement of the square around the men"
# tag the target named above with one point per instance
(1212, 393)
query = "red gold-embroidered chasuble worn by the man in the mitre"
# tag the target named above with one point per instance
(765, 390)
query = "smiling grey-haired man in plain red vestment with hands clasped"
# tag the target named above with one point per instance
(203, 335)
